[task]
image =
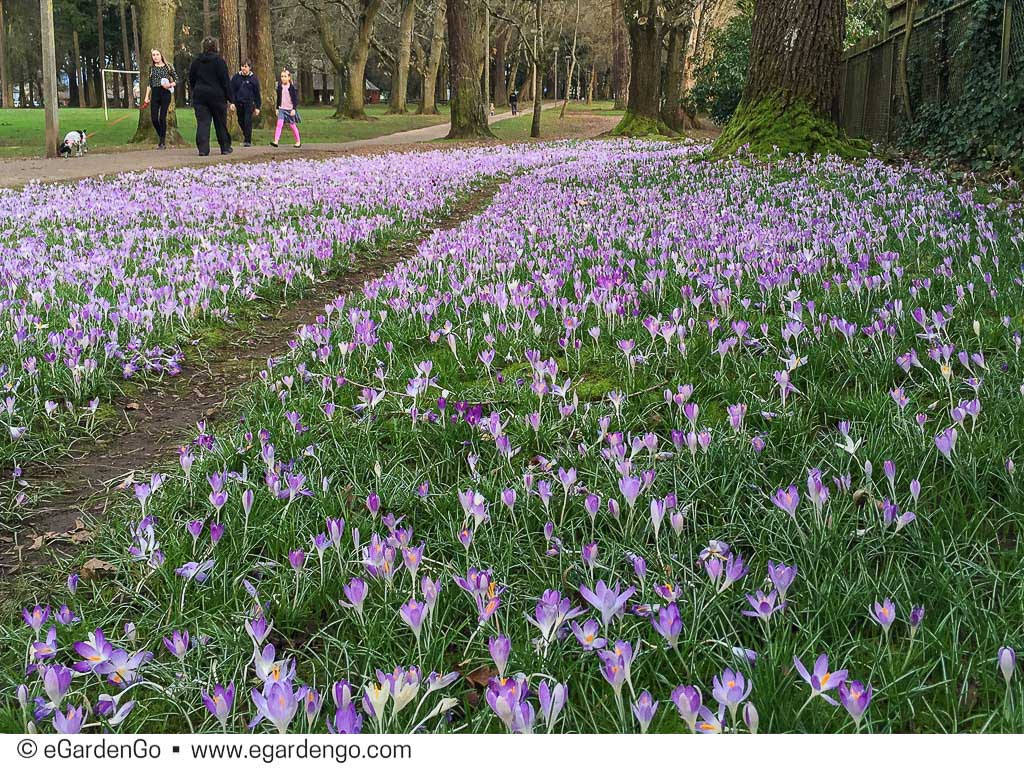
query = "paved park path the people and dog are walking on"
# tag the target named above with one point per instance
(17, 173)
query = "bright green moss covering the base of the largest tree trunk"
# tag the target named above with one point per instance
(790, 127)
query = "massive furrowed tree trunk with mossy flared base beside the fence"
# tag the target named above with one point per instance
(792, 93)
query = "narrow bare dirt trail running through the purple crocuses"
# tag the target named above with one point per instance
(154, 423)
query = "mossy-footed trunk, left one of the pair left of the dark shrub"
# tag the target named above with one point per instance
(647, 28)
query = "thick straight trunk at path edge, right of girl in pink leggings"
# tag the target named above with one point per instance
(467, 58)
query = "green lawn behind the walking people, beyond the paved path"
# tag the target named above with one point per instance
(22, 132)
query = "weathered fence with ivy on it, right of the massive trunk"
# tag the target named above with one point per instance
(926, 59)
